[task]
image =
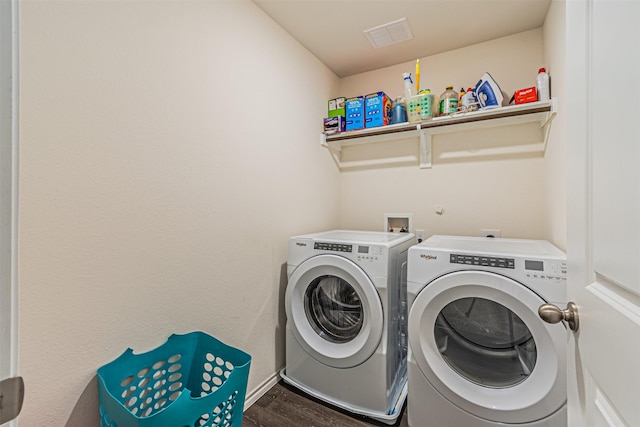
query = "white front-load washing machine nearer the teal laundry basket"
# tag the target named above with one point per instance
(346, 320)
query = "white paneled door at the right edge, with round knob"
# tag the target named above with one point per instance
(603, 244)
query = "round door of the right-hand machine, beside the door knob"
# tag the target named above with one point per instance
(478, 339)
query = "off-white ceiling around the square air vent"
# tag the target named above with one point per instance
(333, 29)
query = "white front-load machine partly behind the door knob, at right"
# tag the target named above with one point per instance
(479, 354)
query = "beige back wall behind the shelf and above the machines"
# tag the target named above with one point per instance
(497, 192)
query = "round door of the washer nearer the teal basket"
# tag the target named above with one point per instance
(334, 311)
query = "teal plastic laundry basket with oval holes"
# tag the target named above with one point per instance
(192, 380)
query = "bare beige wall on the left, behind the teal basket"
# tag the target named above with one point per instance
(168, 151)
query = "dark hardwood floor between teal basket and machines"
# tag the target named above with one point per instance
(286, 406)
